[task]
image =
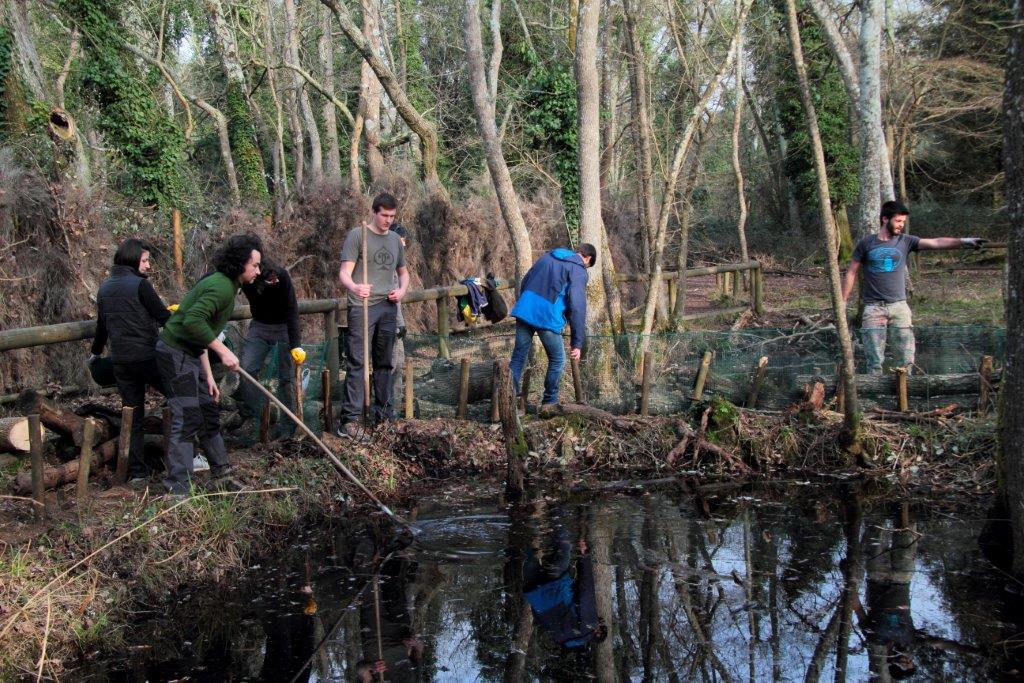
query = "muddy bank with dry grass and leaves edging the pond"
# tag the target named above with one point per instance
(70, 586)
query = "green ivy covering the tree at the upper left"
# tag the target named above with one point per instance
(151, 145)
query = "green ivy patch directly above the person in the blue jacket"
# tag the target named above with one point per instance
(551, 123)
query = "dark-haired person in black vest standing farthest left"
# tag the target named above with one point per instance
(130, 316)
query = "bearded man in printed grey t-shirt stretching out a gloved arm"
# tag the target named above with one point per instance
(885, 257)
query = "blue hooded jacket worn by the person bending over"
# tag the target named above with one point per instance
(553, 291)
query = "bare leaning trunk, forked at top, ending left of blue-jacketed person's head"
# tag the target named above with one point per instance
(484, 104)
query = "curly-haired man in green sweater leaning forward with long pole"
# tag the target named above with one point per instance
(185, 364)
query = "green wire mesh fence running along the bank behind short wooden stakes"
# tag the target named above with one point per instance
(611, 380)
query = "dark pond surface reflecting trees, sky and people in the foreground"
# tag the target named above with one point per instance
(777, 585)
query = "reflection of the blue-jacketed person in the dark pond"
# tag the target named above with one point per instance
(562, 592)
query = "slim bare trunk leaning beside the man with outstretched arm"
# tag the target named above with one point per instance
(852, 413)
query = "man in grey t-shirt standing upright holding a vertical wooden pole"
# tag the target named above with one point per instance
(386, 260)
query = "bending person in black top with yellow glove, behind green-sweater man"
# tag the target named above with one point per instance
(275, 329)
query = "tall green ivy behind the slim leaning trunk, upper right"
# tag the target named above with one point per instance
(833, 108)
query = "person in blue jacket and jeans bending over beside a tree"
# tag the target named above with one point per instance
(553, 291)
